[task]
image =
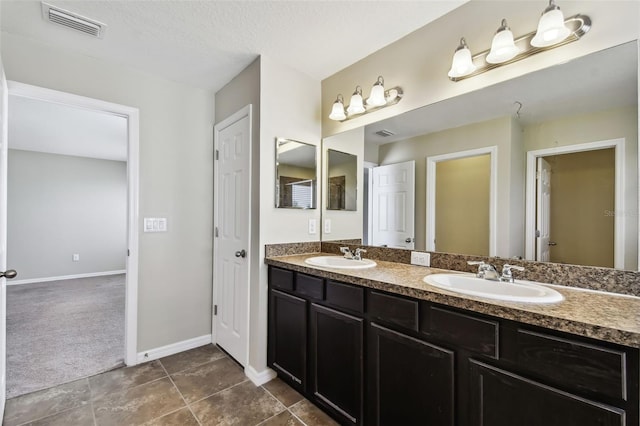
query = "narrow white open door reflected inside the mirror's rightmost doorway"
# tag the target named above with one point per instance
(543, 210)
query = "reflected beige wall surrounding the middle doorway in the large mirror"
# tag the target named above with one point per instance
(497, 132)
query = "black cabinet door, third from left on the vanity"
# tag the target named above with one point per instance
(411, 381)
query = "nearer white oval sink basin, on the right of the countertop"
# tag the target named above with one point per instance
(520, 291)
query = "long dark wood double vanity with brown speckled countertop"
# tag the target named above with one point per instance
(381, 347)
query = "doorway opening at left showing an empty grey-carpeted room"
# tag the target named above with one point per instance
(72, 236)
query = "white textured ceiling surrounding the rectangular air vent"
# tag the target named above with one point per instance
(206, 43)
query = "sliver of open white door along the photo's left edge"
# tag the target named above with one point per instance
(4, 140)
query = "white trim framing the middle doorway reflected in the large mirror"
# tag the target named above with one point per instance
(493, 193)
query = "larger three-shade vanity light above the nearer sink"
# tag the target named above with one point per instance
(553, 31)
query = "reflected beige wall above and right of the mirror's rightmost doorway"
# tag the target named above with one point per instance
(594, 127)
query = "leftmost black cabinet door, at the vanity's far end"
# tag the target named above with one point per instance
(287, 352)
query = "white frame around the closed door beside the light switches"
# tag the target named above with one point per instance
(245, 111)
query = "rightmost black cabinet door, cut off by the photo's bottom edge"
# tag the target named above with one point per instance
(501, 398)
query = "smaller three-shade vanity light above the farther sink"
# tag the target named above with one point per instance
(378, 98)
